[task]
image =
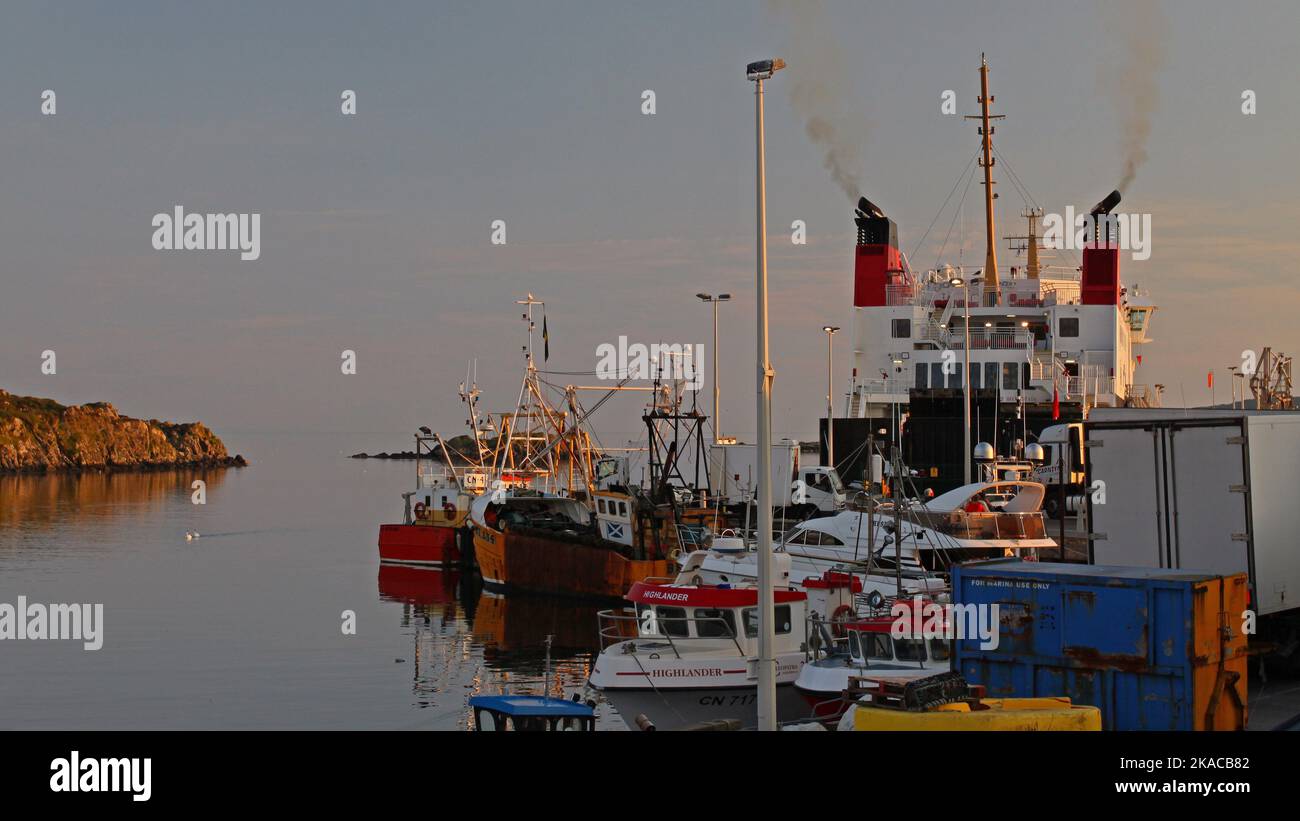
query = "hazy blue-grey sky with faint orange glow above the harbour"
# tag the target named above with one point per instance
(376, 228)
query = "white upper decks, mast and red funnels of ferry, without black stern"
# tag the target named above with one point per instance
(1037, 332)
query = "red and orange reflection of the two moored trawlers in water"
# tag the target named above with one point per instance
(469, 642)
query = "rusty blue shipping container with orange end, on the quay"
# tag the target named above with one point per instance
(1154, 649)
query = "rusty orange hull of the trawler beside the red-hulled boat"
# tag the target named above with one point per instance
(522, 562)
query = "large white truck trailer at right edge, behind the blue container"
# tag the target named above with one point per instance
(1207, 490)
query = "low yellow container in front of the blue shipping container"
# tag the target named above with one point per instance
(1043, 714)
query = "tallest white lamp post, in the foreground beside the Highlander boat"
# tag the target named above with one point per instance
(757, 73)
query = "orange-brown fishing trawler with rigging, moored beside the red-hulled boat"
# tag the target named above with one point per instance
(605, 535)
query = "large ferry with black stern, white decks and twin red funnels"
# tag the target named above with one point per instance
(1032, 342)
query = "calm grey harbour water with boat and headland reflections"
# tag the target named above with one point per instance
(242, 628)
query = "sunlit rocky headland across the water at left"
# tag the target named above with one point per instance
(41, 436)
